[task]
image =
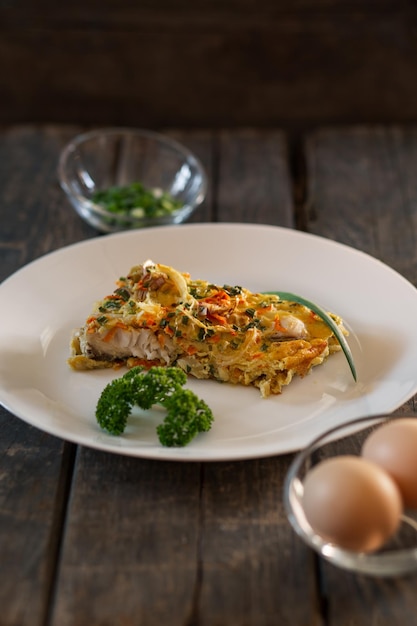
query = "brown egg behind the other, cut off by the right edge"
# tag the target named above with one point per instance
(394, 447)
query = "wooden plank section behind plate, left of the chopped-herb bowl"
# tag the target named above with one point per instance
(36, 218)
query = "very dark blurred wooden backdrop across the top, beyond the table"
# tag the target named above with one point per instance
(208, 63)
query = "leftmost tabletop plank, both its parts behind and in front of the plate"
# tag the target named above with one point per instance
(35, 467)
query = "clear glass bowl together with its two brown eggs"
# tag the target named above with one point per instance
(351, 495)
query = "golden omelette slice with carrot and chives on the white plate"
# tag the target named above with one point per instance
(160, 316)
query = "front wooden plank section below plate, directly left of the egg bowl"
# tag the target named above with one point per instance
(248, 576)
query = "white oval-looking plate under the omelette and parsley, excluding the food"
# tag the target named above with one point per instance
(45, 300)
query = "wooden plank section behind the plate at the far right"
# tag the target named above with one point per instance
(362, 190)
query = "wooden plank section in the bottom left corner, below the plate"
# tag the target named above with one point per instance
(33, 476)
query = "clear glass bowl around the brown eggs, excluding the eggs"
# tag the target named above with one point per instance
(399, 555)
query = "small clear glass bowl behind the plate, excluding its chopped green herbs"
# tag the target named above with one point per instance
(101, 159)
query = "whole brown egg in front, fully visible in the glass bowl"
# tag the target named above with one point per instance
(352, 503)
